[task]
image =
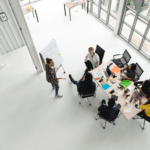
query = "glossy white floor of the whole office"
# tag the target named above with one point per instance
(32, 119)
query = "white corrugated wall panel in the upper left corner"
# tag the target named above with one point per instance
(10, 35)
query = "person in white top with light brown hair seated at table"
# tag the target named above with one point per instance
(92, 57)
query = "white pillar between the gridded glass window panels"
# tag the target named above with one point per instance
(119, 16)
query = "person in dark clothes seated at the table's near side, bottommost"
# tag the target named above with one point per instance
(109, 112)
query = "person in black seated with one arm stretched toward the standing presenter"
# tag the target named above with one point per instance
(86, 85)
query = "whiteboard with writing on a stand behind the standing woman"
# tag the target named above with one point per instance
(52, 51)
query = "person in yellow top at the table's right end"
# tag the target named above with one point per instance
(146, 112)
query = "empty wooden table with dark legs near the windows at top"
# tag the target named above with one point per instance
(74, 4)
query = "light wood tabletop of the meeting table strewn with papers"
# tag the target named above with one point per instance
(119, 92)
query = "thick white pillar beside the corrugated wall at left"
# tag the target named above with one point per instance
(26, 33)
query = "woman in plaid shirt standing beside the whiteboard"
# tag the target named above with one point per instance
(51, 76)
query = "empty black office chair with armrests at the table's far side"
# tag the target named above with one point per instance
(124, 60)
